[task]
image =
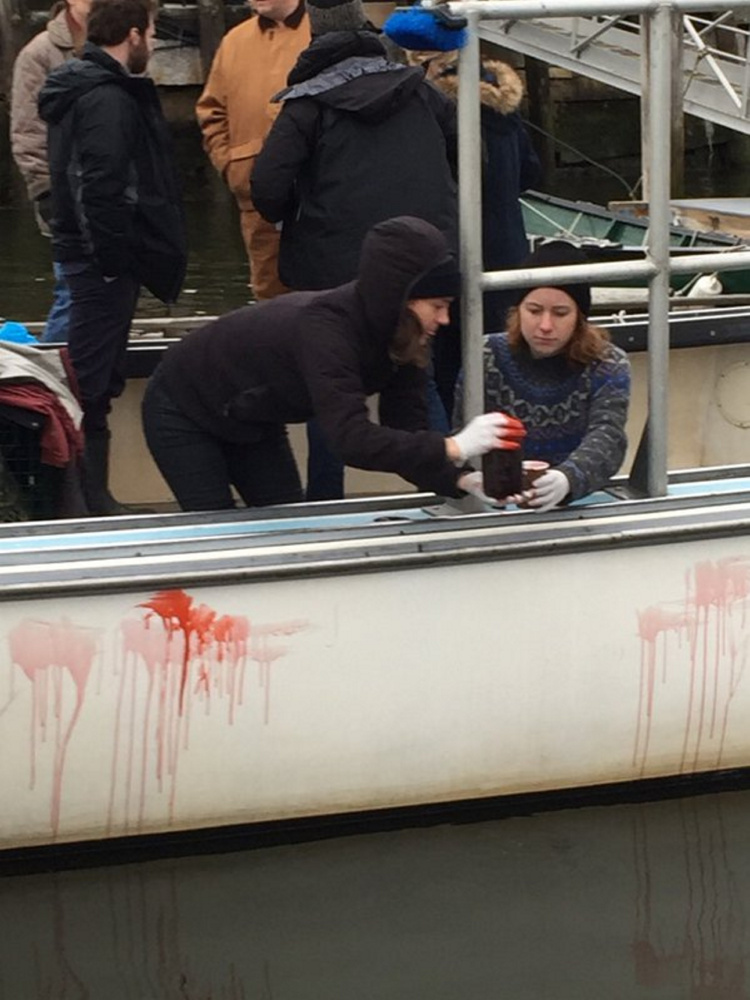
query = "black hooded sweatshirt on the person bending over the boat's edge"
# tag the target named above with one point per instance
(322, 354)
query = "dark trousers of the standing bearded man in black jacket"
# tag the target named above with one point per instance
(101, 313)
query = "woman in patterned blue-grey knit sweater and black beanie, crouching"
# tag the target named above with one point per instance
(558, 374)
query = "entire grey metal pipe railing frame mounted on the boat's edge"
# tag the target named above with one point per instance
(656, 20)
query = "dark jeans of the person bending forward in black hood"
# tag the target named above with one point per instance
(201, 468)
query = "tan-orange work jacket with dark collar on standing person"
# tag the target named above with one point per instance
(235, 111)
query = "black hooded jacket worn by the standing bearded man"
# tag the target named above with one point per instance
(114, 190)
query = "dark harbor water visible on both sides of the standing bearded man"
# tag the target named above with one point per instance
(217, 267)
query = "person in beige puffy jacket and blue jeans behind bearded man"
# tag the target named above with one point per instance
(61, 40)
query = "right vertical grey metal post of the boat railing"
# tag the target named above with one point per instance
(659, 146)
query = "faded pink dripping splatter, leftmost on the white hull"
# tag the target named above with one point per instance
(52, 655)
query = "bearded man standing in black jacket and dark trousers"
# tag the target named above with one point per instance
(117, 215)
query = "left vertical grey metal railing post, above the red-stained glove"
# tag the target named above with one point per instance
(470, 220)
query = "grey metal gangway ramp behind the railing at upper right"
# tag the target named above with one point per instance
(716, 73)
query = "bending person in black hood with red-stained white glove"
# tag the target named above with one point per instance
(215, 409)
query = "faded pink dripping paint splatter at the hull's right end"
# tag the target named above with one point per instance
(708, 629)
